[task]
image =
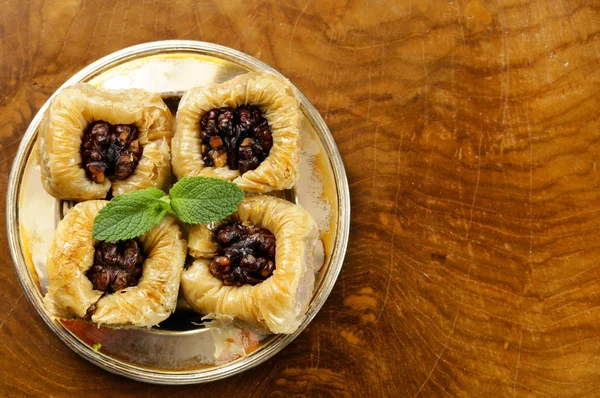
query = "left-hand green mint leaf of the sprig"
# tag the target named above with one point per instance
(131, 215)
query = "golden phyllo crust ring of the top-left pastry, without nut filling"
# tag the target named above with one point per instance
(65, 121)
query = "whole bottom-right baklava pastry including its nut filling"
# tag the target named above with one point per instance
(261, 274)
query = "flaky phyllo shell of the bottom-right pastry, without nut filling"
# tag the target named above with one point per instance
(276, 304)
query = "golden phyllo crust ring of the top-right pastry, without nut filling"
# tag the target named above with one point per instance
(277, 100)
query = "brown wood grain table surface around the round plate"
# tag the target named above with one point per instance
(470, 132)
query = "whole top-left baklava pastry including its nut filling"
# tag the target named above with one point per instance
(93, 139)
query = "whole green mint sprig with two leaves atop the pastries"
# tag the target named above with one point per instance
(194, 200)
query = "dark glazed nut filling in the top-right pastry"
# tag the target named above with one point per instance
(239, 138)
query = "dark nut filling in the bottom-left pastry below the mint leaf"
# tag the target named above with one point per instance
(116, 266)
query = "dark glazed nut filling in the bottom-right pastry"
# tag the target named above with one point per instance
(244, 255)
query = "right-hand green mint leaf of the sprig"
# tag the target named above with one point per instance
(200, 200)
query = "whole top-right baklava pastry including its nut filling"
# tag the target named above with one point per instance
(246, 130)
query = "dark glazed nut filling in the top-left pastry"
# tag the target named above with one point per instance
(111, 151)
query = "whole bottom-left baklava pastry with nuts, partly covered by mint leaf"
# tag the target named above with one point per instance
(128, 283)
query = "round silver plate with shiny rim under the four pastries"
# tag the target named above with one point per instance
(180, 352)
